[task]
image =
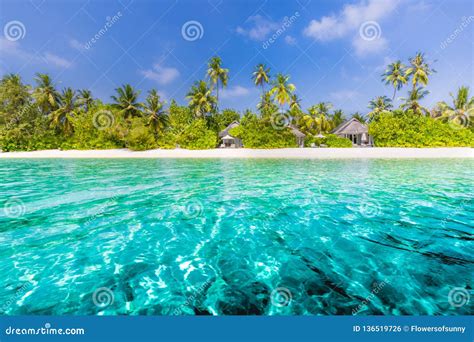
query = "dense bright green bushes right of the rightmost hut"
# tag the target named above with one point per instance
(410, 130)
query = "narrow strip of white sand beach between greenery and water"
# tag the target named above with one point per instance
(284, 153)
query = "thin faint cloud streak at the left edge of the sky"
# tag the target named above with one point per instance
(14, 49)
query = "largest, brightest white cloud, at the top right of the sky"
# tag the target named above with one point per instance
(349, 21)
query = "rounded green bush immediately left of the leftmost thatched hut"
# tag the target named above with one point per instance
(197, 136)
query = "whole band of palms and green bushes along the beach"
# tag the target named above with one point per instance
(41, 116)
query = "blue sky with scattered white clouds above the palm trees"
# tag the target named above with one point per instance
(333, 50)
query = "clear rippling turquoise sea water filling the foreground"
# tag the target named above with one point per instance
(222, 237)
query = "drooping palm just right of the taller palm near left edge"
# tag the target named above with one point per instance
(62, 117)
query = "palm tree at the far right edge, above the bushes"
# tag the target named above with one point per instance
(460, 112)
